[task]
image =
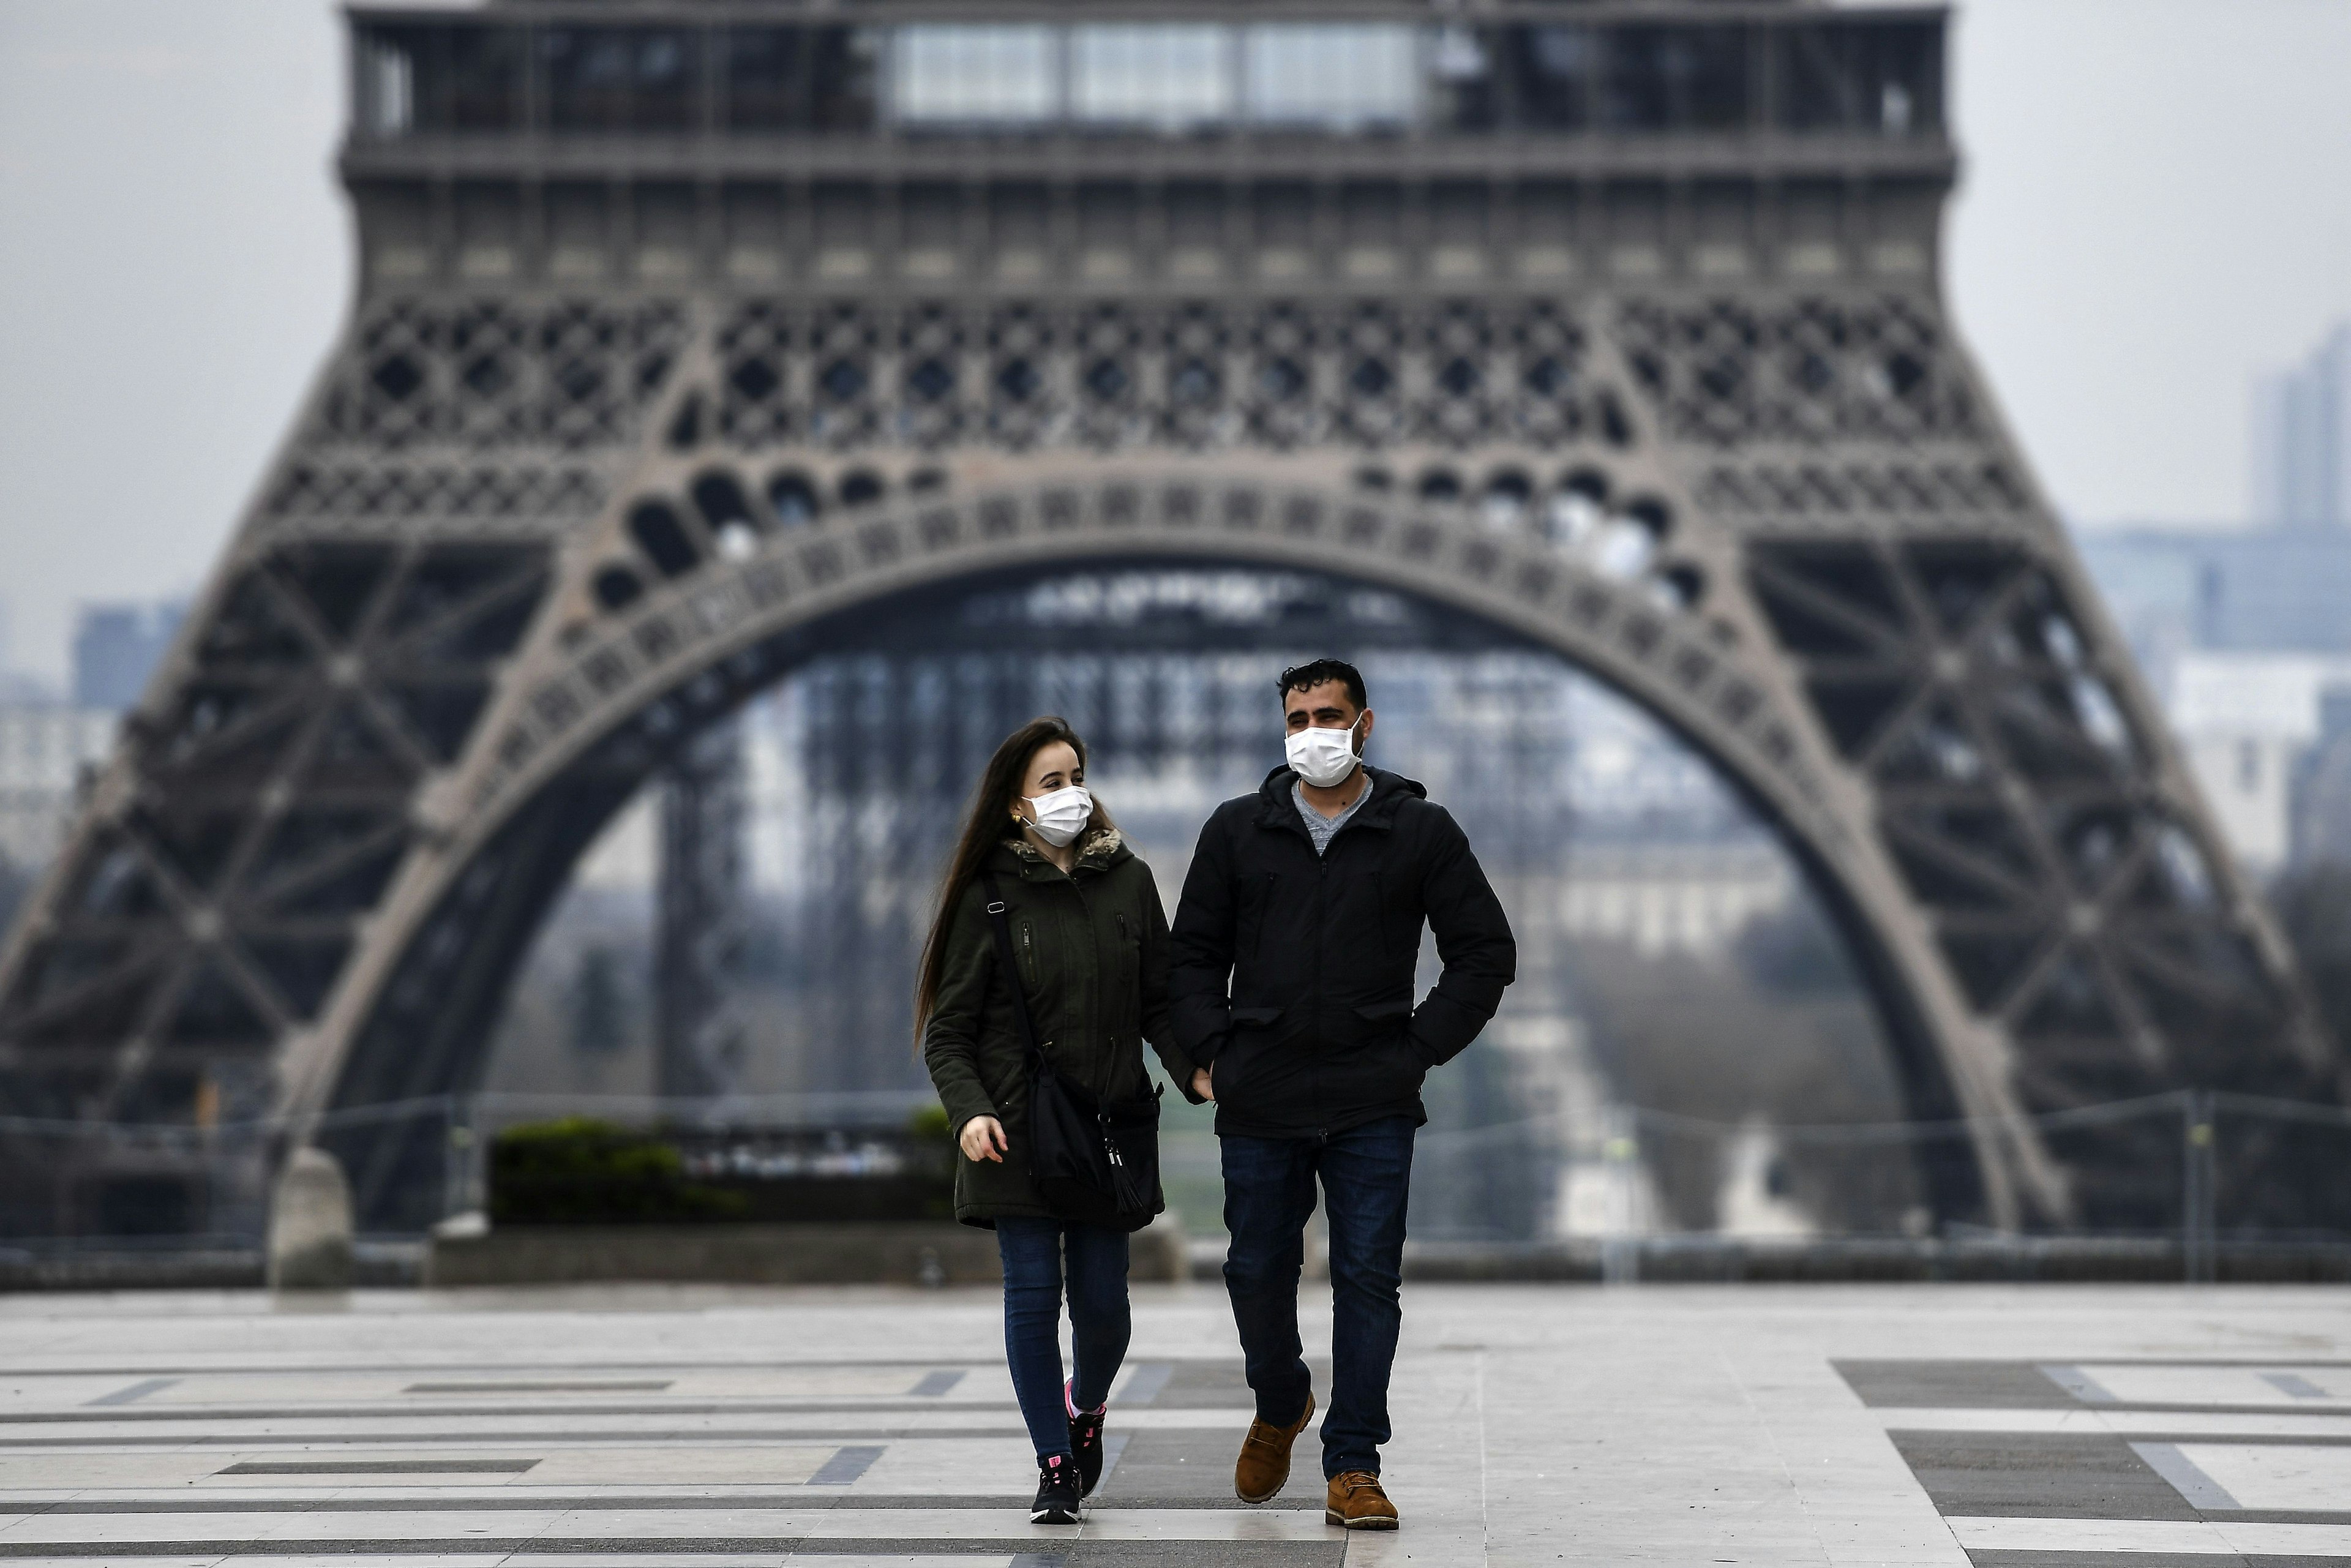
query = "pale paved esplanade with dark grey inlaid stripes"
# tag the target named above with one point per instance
(1536, 1426)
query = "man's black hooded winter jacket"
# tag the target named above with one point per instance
(1318, 1031)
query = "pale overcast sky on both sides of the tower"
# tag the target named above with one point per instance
(2157, 206)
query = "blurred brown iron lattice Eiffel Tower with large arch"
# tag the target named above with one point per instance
(690, 337)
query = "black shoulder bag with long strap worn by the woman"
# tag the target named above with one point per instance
(1092, 1160)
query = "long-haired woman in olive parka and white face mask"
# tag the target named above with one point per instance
(1092, 949)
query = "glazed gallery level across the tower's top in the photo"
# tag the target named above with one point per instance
(1654, 79)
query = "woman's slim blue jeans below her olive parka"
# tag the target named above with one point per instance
(1033, 1268)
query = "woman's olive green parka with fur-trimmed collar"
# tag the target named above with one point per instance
(1094, 953)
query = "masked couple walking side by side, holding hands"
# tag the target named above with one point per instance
(1282, 993)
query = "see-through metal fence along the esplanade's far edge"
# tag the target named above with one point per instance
(2206, 1172)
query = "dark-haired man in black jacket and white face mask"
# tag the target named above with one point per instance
(1292, 986)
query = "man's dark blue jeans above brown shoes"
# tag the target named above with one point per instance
(1367, 1177)
